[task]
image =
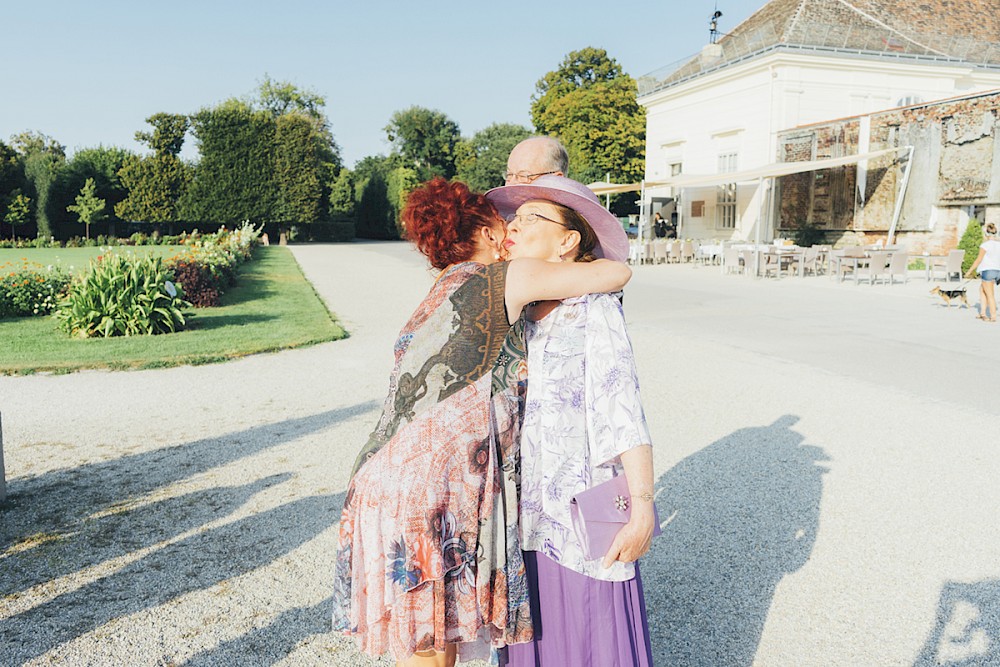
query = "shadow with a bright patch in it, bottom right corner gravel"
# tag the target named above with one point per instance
(967, 630)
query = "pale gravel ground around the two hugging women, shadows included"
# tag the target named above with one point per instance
(826, 456)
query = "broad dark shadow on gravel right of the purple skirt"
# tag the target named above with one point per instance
(742, 512)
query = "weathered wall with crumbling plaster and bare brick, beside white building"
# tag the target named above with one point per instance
(955, 165)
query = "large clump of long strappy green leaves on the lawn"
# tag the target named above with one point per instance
(123, 295)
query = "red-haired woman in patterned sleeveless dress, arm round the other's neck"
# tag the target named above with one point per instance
(428, 562)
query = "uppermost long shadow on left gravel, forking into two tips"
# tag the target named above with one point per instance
(65, 521)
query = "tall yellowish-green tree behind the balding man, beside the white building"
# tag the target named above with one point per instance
(589, 103)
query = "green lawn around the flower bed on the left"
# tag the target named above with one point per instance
(273, 308)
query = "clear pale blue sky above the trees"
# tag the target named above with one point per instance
(90, 73)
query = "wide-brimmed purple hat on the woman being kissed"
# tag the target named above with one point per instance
(612, 243)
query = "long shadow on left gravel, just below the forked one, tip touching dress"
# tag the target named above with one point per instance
(194, 563)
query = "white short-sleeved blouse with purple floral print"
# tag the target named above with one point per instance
(582, 411)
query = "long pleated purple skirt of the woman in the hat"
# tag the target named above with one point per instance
(581, 621)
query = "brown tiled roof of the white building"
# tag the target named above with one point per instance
(943, 31)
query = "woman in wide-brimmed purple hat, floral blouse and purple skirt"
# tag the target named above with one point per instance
(583, 425)
